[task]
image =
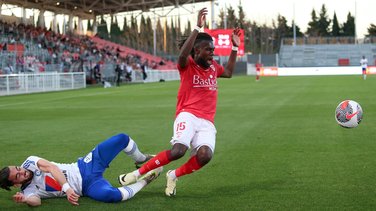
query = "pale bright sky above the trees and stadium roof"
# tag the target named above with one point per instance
(264, 11)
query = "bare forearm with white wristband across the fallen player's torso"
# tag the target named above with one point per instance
(49, 167)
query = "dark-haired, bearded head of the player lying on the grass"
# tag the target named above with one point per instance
(14, 176)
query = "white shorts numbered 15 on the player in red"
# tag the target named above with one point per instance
(193, 132)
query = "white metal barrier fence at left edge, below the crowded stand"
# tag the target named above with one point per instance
(30, 83)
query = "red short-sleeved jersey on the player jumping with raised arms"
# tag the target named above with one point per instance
(198, 89)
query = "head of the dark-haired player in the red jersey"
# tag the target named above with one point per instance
(203, 49)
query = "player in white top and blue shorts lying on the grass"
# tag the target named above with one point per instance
(39, 178)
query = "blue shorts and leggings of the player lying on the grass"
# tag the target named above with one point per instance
(93, 165)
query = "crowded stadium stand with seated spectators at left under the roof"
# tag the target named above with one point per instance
(29, 49)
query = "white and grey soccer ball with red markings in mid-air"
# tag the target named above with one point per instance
(349, 114)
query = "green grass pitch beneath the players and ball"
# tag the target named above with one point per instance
(278, 145)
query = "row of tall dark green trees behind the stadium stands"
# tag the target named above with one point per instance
(259, 38)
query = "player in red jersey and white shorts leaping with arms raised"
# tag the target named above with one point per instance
(196, 106)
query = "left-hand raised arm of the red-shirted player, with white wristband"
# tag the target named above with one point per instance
(189, 43)
